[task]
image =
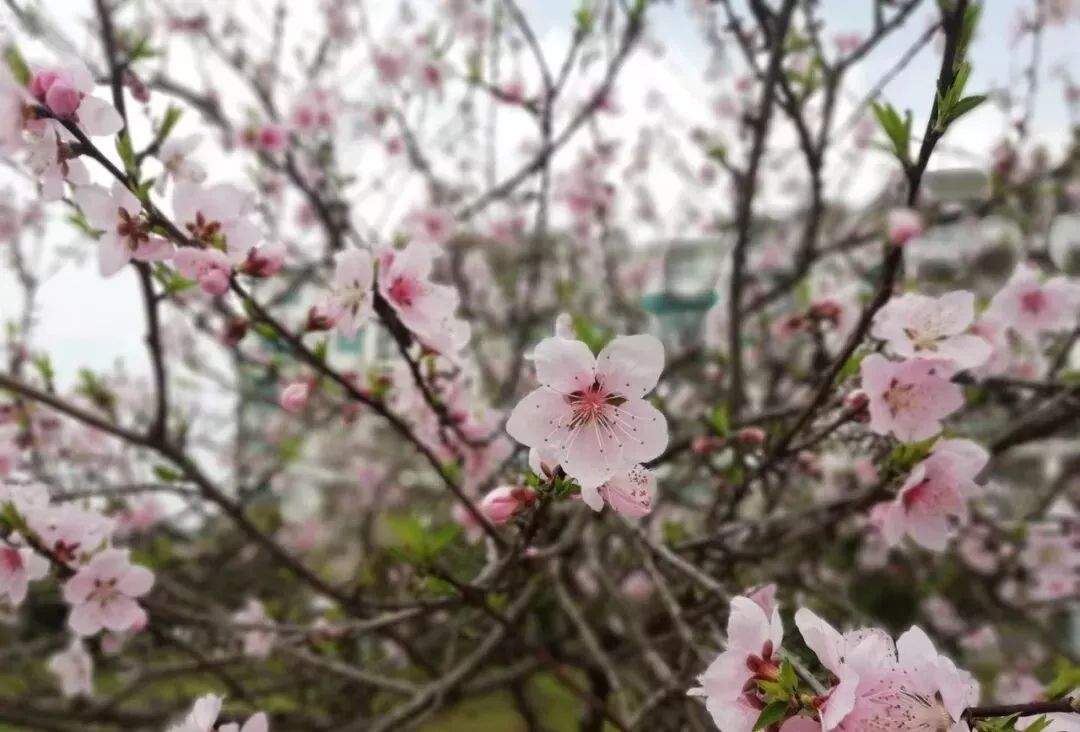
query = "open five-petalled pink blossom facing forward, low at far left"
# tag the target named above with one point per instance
(103, 594)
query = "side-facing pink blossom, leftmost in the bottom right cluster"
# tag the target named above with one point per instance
(754, 639)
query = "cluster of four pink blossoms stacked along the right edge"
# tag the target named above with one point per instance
(935, 340)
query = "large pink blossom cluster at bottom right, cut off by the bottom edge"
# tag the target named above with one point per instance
(879, 684)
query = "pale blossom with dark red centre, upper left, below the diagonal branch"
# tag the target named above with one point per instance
(126, 234)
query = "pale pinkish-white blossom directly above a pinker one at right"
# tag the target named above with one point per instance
(926, 328)
